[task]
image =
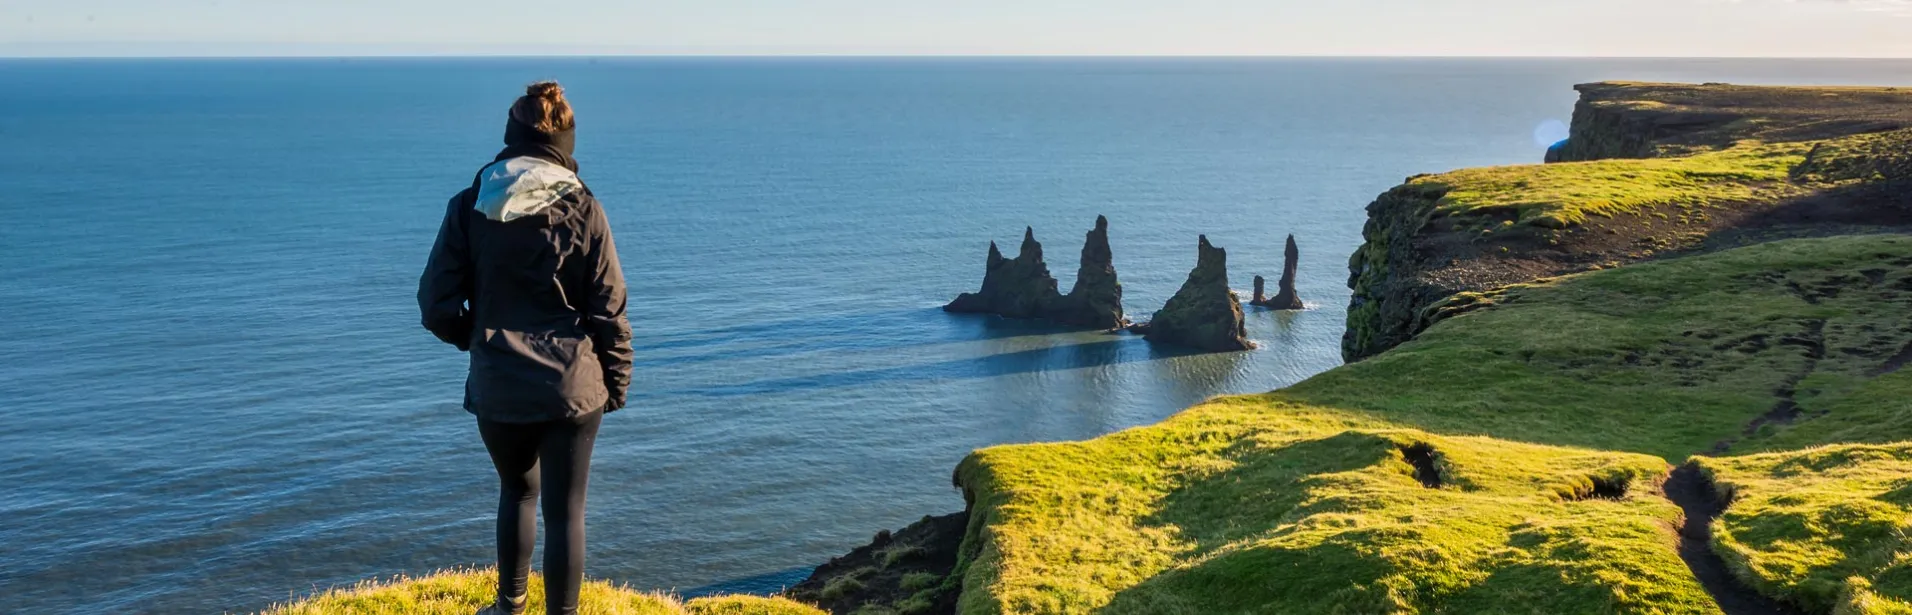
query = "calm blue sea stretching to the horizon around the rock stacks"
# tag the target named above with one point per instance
(215, 392)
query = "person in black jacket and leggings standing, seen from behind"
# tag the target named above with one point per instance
(525, 278)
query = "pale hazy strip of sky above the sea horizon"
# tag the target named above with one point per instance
(961, 28)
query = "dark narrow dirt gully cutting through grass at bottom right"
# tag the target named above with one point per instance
(1697, 498)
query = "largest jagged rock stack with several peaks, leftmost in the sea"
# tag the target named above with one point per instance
(1024, 289)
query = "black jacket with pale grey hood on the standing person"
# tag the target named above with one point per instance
(529, 284)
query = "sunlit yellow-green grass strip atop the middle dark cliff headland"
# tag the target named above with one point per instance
(1561, 196)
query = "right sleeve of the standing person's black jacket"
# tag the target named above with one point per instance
(603, 305)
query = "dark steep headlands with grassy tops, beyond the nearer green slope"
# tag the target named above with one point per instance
(1662, 171)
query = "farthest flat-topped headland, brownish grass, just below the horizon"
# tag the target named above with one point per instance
(1687, 117)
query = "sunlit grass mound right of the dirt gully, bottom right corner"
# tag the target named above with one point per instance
(1823, 528)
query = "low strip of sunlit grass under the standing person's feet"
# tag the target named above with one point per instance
(464, 593)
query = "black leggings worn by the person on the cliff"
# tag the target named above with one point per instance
(557, 457)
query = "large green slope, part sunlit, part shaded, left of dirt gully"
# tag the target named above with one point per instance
(1458, 473)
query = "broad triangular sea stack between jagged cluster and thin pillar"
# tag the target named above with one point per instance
(1206, 314)
